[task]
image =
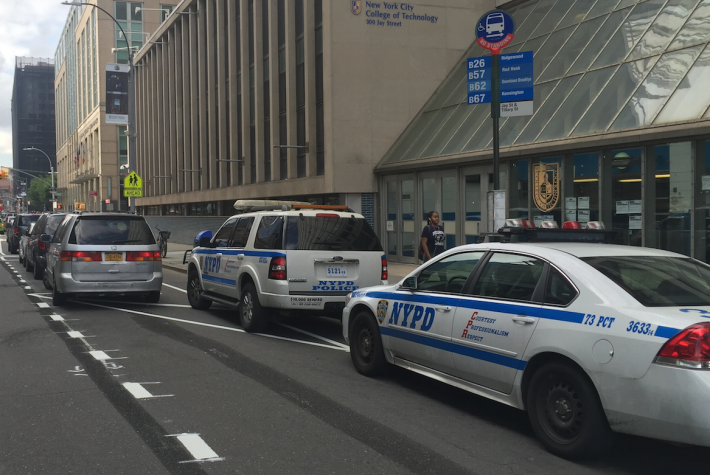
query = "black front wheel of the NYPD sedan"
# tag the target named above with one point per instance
(366, 345)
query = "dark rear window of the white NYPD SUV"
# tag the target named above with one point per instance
(318, 233)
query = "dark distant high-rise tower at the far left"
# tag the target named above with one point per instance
(33, 120)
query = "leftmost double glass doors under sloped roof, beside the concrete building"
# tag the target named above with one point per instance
(400, 228)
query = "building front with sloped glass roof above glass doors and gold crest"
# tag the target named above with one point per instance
(620, 132)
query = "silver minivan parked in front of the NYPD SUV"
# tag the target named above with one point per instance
(103, 254)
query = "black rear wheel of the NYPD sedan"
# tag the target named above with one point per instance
(583, 430)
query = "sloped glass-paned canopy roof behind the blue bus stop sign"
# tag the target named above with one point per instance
(599, 66)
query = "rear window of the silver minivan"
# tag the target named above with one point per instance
(103, 230)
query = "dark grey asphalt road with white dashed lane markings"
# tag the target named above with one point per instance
(122, 387)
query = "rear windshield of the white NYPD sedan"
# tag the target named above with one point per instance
(658, 281)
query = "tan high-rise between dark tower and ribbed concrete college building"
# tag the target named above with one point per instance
(92, 156)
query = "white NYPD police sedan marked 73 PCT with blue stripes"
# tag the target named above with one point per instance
(588, 338)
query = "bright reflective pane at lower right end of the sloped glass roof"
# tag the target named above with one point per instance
(692, 95)
